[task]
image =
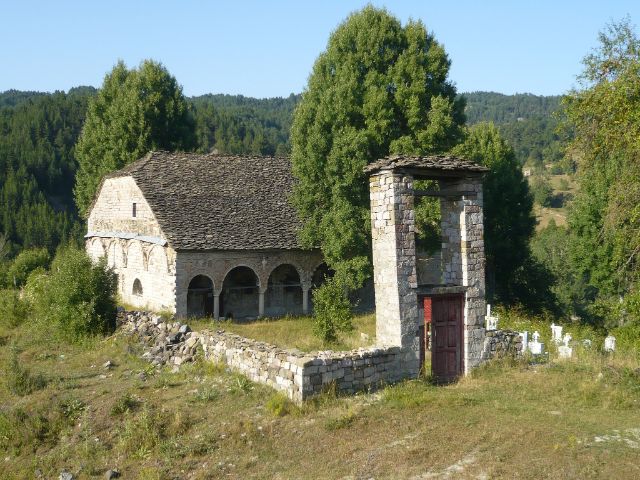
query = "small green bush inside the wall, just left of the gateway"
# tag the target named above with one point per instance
(332, 310)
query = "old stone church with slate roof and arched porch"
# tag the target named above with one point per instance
(204, 235)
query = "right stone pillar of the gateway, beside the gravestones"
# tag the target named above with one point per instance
(463, 259)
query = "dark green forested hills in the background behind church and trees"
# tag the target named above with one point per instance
(38, 132)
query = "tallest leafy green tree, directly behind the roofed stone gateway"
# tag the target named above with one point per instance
(379, 88)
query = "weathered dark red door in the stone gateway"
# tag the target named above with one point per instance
(445, 313)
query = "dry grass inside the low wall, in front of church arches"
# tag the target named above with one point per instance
(297, 332)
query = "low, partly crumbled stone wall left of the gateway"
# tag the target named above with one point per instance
(299, 375)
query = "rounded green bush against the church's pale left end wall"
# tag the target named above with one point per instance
(76, 297)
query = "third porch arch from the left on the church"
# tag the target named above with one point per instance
(284, 291)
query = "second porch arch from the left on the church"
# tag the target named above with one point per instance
(240, 296)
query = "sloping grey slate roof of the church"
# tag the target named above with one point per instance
(218, 202)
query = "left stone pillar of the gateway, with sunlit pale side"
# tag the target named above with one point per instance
(394, 264)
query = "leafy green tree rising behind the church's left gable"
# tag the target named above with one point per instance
(135, 111)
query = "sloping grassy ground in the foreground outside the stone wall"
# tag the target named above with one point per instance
(60, 408)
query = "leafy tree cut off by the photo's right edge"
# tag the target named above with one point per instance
(605, 216)
